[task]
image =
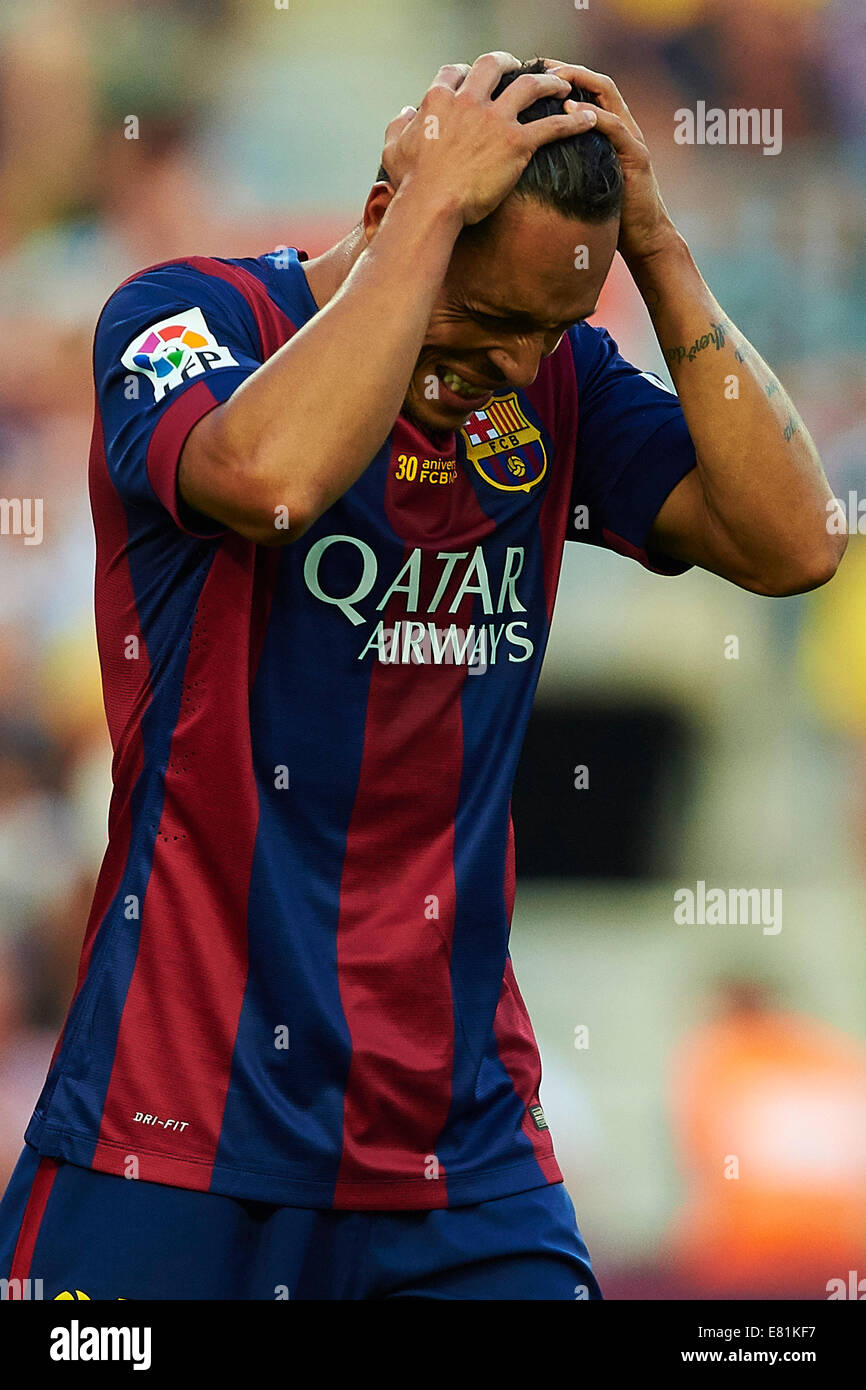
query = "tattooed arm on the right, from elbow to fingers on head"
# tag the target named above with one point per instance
(757, 505)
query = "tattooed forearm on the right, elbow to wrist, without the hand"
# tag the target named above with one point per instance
(764, 490)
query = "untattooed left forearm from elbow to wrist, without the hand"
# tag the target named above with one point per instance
(307, 425)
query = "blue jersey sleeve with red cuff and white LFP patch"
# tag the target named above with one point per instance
(170, 347)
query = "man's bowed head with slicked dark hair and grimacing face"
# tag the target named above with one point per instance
(522, 277)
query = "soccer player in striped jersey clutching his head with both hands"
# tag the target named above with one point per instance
(330, 502)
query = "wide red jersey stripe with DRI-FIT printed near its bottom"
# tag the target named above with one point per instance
(181, 1014)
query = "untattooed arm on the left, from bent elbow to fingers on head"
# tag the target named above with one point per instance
(347, 372)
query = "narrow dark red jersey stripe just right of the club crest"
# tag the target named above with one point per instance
(554, 397)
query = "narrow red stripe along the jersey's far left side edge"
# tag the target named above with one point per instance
(126, 686)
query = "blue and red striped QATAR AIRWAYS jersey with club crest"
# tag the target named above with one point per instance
(295, 983)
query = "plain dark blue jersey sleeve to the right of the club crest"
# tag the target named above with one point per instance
(633, 448)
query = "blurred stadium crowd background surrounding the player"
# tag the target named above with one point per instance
(671, 1052)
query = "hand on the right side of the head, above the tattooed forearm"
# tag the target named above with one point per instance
(646, 226)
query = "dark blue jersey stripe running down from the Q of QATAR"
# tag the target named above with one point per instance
(293, 1100)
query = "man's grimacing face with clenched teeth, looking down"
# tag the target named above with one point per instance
(512, 290)
